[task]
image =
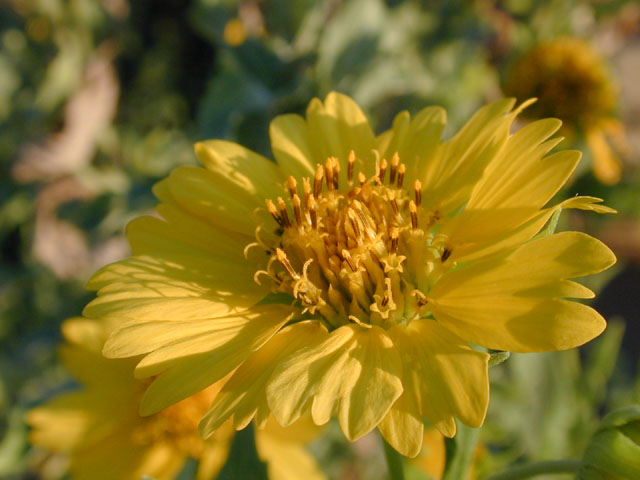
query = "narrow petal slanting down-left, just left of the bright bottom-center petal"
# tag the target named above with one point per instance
(243, 395)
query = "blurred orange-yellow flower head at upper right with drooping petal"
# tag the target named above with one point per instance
(572, 83)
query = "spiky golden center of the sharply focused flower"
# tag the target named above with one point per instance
(365, 252)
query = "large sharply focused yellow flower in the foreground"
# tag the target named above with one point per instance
(391, 255)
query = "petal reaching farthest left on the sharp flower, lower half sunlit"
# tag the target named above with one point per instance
(181, 287)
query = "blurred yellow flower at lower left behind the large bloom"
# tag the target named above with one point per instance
(101, 430)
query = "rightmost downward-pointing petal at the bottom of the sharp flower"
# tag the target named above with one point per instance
(447, 377)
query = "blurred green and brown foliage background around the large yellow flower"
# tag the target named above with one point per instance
(99, 99)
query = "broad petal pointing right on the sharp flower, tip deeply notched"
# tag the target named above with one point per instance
(502, 302)
